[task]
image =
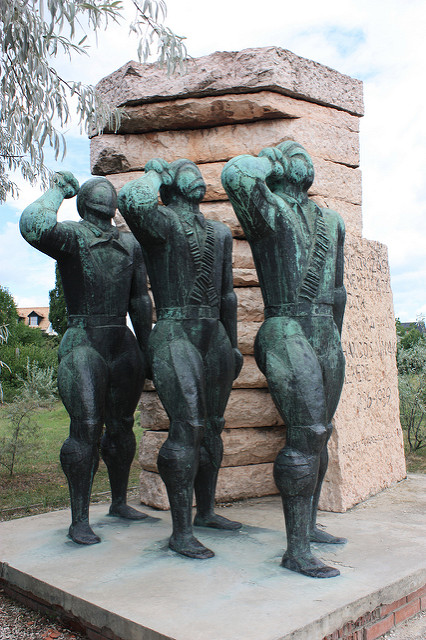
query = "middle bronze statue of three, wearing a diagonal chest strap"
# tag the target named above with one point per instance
(193, 346)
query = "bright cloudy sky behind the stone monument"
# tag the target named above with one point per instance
(381, 42)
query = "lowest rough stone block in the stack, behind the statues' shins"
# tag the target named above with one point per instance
(234, 483)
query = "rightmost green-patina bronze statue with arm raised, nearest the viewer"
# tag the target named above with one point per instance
(298, 252)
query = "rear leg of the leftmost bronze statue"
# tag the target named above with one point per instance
(118, 444)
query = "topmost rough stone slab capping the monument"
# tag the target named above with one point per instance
(250, 70)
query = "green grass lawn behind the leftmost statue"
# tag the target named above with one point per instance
(38, 483)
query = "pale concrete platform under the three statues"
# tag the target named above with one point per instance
(132, 587)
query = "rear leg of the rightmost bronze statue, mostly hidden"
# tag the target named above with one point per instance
(332, 362)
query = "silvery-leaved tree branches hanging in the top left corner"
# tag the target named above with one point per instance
(33, 96)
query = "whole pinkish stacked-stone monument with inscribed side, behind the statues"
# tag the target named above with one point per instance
(228, 104)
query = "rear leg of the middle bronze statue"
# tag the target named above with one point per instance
(219, 368)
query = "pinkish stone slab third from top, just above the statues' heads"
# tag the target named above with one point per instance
(115, 153)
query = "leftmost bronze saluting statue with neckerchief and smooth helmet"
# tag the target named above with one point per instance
(102, 366)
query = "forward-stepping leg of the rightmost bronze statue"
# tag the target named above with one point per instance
(295, 382)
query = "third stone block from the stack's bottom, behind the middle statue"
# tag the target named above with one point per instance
(246, 408)
